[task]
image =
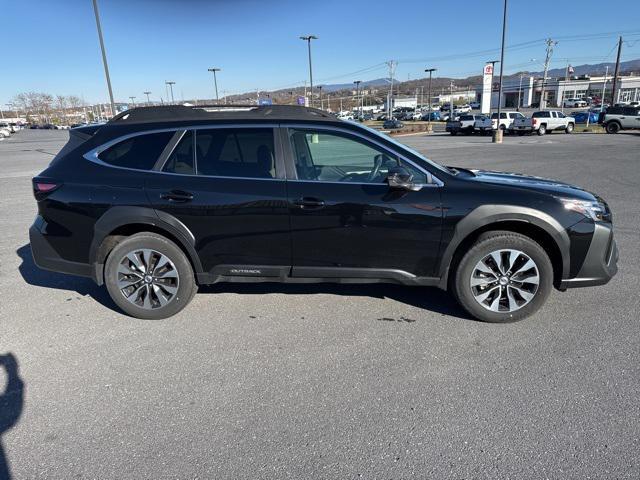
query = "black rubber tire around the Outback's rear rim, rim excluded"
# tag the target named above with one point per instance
(186, 287)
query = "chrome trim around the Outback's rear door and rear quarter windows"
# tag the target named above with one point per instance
(93, 154)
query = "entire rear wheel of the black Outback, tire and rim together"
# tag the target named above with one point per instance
(149, 277)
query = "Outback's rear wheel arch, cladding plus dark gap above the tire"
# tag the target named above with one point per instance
(121, 222)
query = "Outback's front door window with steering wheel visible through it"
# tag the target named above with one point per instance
(337, 157)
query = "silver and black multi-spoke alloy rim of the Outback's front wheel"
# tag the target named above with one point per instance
(505, 280)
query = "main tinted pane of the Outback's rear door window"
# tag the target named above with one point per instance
(228, 152)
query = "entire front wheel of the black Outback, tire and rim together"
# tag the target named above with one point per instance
(504, 277)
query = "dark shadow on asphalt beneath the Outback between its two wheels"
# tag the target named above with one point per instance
(427, 298)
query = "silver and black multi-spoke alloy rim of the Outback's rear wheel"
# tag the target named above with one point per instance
(147, 278)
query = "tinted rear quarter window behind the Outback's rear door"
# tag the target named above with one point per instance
(141, 151)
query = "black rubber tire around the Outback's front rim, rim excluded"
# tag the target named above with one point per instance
(487, 243)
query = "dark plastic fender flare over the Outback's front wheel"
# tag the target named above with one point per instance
(493, 215)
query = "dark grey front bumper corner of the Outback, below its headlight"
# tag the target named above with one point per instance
(601, 261)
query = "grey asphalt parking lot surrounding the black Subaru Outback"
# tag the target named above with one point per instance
(326, 381)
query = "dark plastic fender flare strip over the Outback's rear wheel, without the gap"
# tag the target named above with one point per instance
(120, 216)
